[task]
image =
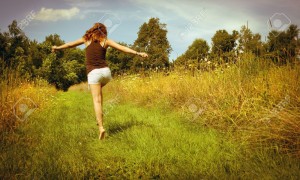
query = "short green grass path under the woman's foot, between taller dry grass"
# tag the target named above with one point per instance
(61, 141)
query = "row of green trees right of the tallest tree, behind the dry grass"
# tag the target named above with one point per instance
(280, 47)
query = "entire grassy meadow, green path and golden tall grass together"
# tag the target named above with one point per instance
(238, 121)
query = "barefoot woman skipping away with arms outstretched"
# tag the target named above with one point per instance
(98, 73)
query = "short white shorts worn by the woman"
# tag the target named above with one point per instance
(99, 76)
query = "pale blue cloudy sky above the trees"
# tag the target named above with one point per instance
(186, 20)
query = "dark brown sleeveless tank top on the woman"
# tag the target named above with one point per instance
(95, 56)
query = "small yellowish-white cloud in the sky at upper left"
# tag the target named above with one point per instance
(56, 14)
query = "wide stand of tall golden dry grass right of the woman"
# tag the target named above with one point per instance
(254, 99)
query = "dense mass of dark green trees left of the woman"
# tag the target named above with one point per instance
(32, 59)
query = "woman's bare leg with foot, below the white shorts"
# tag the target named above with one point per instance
(96, 90)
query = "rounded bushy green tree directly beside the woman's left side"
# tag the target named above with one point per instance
(64, 68)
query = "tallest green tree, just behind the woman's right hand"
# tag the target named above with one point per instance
(152, 38)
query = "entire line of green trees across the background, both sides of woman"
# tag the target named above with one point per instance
(31, 59)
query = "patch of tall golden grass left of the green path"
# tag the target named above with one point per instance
(18, 96)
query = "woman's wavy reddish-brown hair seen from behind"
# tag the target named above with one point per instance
(96, 33)
